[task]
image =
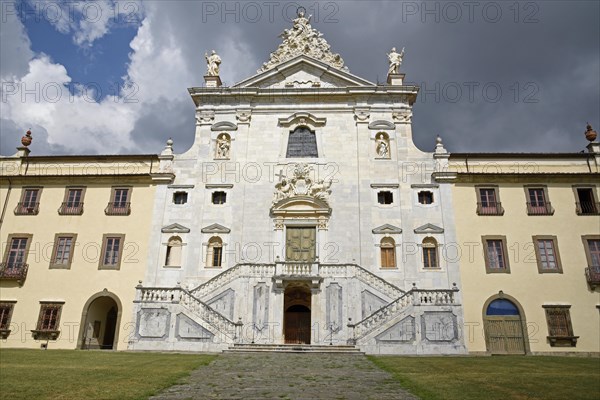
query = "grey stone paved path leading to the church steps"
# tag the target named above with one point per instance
(288, 376)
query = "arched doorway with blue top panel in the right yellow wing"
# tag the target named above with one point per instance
(504, 326)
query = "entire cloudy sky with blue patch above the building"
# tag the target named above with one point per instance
(110, 76)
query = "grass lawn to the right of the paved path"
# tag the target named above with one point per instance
(491, 378)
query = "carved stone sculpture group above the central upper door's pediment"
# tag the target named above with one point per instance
(302, 185)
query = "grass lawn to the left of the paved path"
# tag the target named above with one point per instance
(72, 374)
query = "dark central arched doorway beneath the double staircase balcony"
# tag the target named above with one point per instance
(296, 318)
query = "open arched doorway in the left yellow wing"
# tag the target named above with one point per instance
(100, 322)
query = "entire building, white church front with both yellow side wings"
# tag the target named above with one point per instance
(303, 217)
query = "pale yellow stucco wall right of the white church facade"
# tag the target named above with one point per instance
(524, 283)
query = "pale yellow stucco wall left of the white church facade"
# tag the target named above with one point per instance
(75, 286)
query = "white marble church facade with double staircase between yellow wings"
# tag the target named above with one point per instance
(240, 152)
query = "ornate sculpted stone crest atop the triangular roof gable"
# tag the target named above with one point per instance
(302, 38)
